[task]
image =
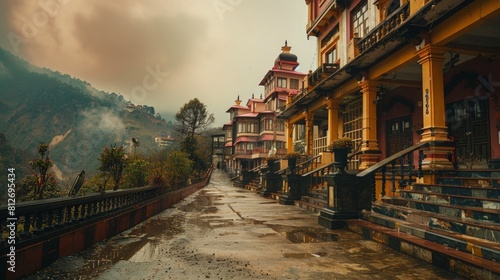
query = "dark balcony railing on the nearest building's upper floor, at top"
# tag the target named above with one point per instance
(385, 28)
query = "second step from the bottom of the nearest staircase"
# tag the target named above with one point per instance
(475, 246)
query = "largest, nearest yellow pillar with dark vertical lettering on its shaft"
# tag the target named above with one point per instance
(433, 107)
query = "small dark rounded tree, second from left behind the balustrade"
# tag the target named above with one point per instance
(113, 162)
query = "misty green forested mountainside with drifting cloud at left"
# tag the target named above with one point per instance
(40, 105)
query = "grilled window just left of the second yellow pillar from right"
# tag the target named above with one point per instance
(353, 126)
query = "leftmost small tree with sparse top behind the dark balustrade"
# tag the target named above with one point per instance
(40, 183)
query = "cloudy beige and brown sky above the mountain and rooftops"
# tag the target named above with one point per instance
(160, 52)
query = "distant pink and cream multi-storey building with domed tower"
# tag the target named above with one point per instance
(253, 131)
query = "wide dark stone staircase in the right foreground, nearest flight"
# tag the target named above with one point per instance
(454, 224)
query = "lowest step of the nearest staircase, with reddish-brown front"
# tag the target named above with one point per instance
(464, 264)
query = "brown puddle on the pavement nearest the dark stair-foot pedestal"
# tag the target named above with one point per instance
(305, 234)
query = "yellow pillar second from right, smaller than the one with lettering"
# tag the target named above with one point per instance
(370, 151)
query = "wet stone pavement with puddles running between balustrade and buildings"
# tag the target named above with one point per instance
(223, 232)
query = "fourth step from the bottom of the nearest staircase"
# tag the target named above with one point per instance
(459, 211)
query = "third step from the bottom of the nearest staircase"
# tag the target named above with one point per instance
(477, 229)
